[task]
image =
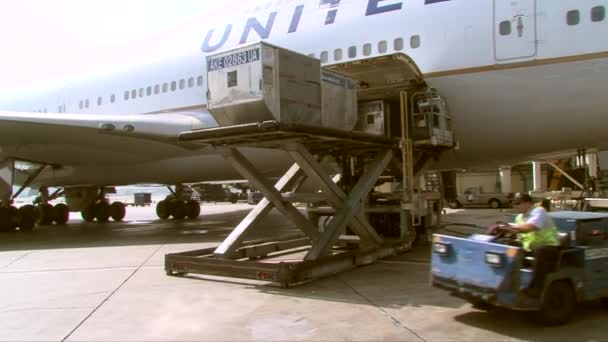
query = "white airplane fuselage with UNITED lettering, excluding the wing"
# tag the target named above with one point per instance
(522, 78)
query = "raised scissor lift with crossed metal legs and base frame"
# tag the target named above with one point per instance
(307, 146)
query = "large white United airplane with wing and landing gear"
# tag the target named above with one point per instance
(522, 78)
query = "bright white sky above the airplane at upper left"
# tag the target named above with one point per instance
(46, 40)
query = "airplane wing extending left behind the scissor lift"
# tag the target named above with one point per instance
(76, 139)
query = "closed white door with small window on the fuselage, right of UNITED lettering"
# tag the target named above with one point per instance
(514, 29)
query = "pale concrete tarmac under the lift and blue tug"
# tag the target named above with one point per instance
(106, 282)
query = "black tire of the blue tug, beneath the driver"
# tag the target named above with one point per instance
(558, 304)
